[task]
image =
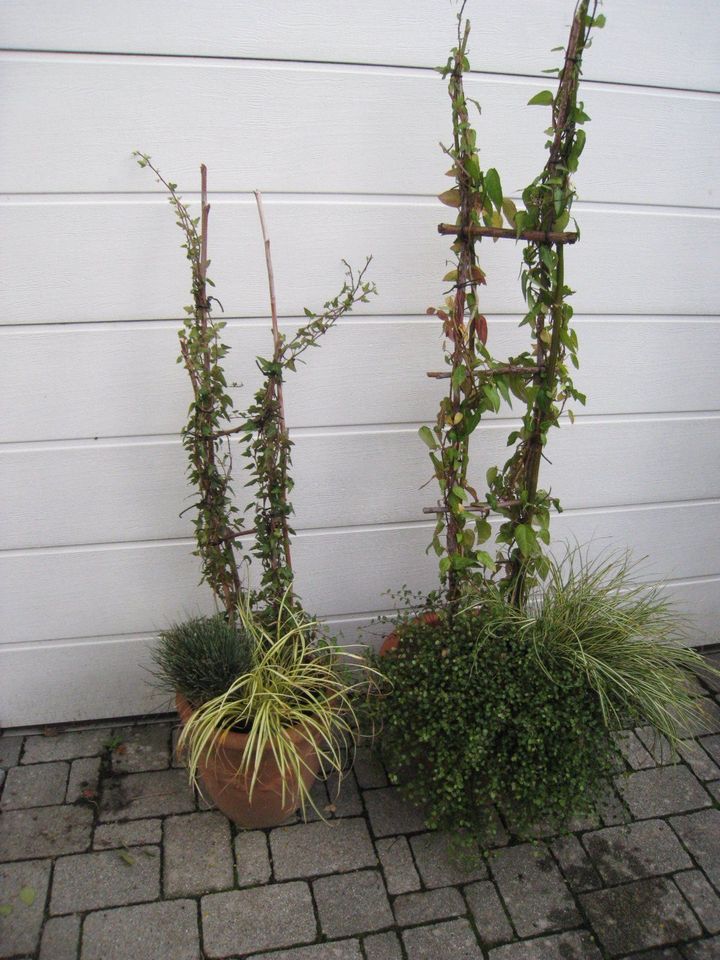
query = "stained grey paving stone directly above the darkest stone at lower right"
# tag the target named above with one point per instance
(645, 849)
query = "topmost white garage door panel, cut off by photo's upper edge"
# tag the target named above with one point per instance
(676, 40)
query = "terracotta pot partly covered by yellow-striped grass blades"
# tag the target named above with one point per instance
(229, 790)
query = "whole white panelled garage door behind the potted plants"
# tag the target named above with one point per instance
(331, 109)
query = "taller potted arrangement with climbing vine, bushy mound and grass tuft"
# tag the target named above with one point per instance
(506, 690)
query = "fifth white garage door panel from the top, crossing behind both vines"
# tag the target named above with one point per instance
(112, 492)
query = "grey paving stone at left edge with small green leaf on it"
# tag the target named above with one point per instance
(20, 929)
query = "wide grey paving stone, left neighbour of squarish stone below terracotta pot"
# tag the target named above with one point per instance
(88, 881)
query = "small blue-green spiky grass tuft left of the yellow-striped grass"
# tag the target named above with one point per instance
(201, 657)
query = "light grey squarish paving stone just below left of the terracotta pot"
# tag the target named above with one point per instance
(197, 854)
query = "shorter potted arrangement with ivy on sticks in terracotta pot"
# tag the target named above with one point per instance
(265, 699)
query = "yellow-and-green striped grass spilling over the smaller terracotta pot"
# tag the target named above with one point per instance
(293, 682)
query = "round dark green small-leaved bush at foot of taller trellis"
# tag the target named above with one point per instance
(473, 721)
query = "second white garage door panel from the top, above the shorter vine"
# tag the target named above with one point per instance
(643, 146)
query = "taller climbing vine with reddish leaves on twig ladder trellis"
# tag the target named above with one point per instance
(538, 377)
